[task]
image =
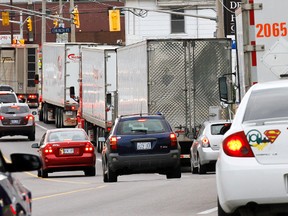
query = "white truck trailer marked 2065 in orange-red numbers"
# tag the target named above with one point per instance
(262, 42)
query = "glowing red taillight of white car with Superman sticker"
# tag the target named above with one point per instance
(236, 145)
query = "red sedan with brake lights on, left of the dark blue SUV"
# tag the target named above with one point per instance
(66, 149)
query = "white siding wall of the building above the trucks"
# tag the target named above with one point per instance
(158, 25)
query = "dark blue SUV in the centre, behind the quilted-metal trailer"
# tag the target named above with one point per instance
(141, 144)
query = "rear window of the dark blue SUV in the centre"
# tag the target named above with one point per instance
(136, 126)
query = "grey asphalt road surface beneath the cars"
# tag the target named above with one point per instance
(71, 193)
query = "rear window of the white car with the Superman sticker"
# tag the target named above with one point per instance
(266, 104)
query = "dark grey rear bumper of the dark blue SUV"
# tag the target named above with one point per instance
(144, 163)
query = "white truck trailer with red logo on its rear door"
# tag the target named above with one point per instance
(60, 71)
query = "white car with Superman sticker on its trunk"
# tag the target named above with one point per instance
(252, 168)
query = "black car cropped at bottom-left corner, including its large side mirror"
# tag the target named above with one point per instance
(15, 198)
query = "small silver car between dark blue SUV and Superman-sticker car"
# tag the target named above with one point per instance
(205, 148)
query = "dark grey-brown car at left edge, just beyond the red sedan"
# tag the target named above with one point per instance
(17, 119)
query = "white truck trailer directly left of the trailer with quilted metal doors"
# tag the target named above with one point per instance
(97, 109)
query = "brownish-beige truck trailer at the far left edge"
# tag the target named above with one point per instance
(18, 67)
